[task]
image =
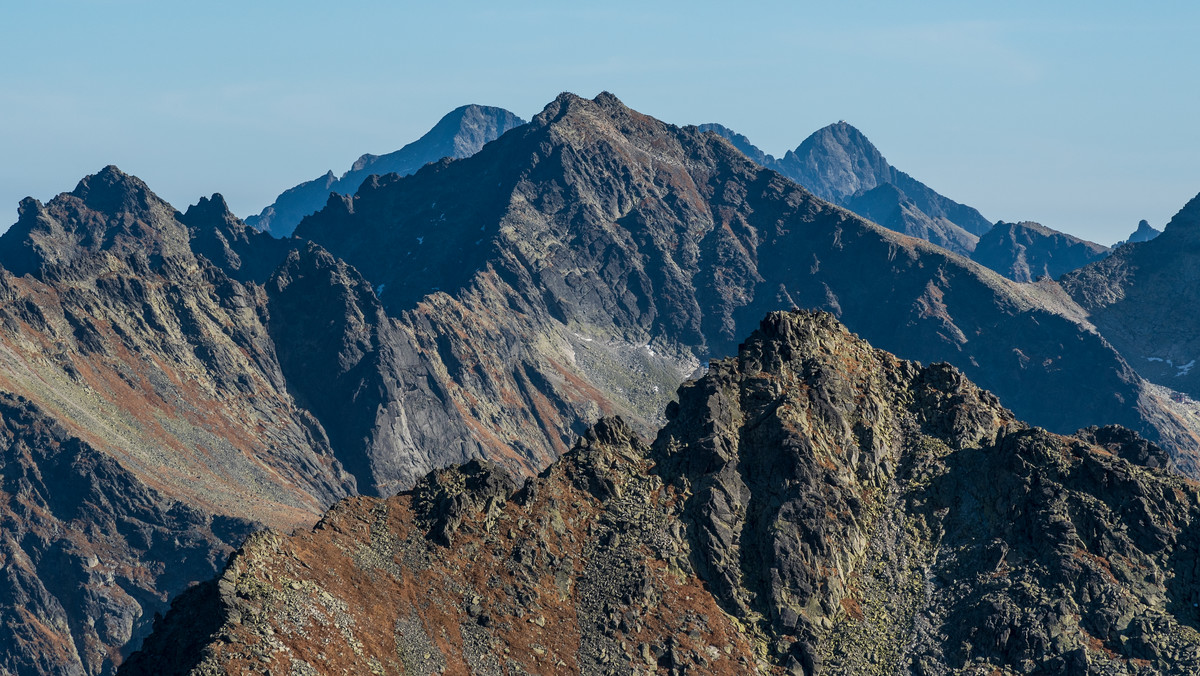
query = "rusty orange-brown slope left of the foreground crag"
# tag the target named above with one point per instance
(579, 572)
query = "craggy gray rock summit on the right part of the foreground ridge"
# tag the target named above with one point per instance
(844, 507)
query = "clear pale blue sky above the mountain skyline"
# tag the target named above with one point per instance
(1081, 116)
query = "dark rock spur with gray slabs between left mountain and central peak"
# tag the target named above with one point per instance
(363, 375)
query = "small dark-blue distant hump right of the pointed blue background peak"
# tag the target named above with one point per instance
(1028, 252)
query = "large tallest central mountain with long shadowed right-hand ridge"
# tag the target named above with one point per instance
(589, 262)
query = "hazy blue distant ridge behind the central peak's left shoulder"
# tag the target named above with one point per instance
(460, 134)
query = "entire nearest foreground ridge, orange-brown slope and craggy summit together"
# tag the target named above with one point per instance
(814, 506)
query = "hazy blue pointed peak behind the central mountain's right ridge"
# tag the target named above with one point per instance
(839, 164)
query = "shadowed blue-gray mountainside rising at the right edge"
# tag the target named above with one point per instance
(1145, 300)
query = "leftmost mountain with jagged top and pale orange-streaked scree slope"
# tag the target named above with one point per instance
(151, 364)
